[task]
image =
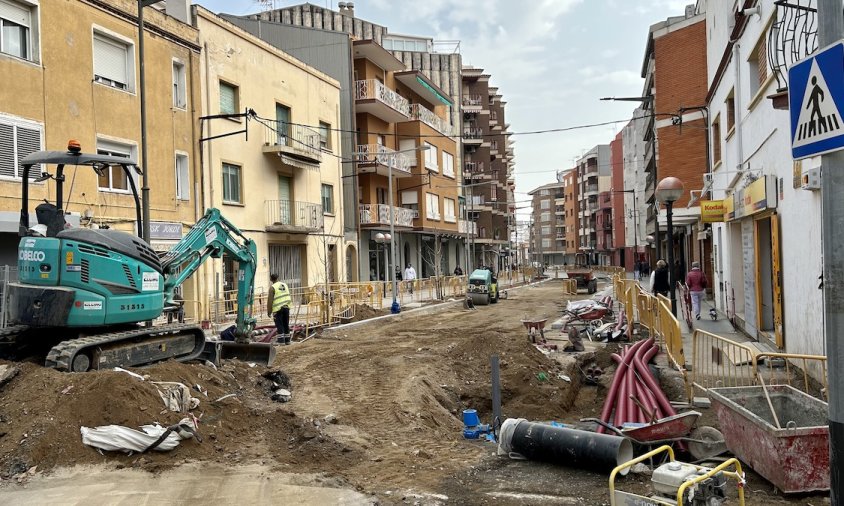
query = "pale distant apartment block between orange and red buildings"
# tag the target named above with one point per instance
(593, 177)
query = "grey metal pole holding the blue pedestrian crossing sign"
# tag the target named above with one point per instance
(830, 30)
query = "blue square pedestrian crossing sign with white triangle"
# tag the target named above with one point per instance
(815, 101)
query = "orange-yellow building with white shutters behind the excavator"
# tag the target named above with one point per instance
(82, 82)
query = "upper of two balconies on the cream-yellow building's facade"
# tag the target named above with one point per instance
(296, 145)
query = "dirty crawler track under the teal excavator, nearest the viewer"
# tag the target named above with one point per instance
(128, 348)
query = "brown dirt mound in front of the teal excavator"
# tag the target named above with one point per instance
(41, 411)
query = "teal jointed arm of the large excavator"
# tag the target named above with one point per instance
(212, 236)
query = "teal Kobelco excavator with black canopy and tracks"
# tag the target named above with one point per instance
(88, 294)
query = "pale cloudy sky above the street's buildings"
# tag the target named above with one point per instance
(550, 59)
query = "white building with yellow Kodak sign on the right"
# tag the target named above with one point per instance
(768, 285)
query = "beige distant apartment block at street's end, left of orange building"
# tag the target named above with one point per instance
(547, 240)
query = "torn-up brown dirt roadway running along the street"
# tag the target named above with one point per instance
(375, 412)
